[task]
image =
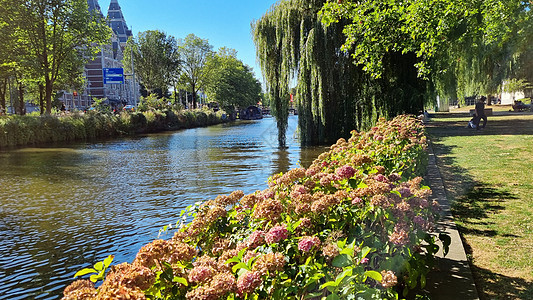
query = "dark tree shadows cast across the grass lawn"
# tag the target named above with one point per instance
(474, 202)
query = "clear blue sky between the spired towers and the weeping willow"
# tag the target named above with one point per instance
(223, 23)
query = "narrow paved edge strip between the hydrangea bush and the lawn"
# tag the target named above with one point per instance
(453, 278)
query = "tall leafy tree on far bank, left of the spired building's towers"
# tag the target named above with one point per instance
(59, 34)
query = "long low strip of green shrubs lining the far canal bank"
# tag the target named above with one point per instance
(33, 130)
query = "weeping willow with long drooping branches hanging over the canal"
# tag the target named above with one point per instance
(333, 95)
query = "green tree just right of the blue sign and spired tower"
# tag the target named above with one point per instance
(155, 58)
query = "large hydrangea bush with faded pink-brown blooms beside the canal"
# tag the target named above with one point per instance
(356, 224)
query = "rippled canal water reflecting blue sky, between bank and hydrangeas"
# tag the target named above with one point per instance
(65, 208)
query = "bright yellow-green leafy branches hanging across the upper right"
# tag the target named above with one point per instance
(461, 46)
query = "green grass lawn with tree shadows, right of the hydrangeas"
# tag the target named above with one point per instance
(489, 179)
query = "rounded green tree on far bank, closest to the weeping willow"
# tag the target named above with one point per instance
(231, 83)
